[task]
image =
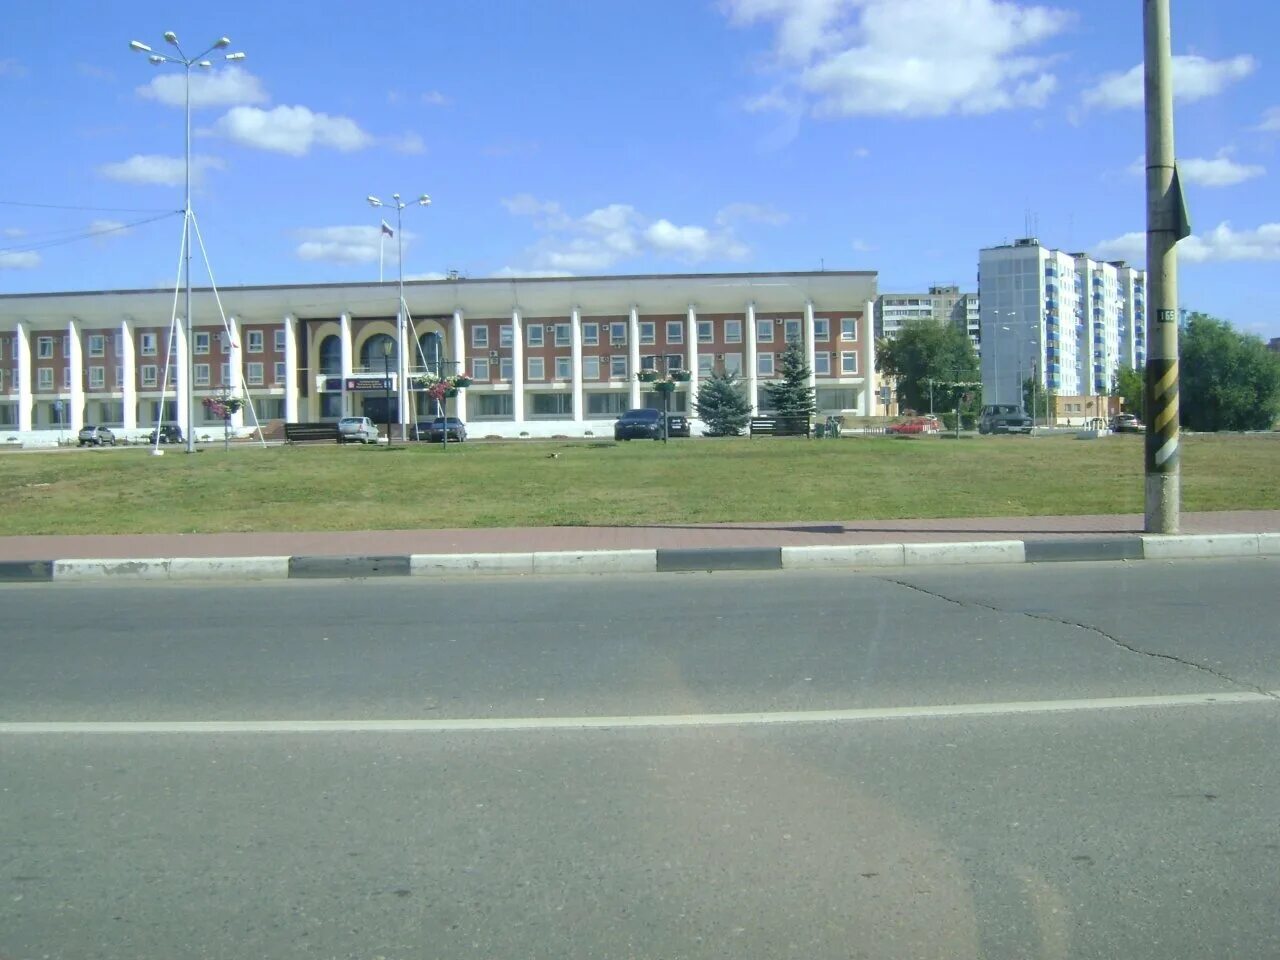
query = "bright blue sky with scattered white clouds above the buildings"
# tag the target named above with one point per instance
(597, 138)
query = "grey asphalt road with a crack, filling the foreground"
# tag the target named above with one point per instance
(1104, 831)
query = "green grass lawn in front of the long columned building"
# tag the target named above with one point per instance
(701, 481)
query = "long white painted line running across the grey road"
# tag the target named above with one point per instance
(500, 725)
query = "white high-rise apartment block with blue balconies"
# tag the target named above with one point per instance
(1063, 319)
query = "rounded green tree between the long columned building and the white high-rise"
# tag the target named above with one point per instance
(925, 351)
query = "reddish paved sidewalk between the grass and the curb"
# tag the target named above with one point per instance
(615, 538)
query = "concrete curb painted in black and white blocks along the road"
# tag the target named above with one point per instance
(650, 561)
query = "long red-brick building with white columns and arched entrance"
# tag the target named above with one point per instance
(555, 356)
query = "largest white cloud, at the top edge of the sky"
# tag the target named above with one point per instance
(912, 58)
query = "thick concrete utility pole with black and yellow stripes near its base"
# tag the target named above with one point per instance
(1167, 225)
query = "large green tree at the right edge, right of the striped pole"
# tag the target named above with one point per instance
(1229, 380)
